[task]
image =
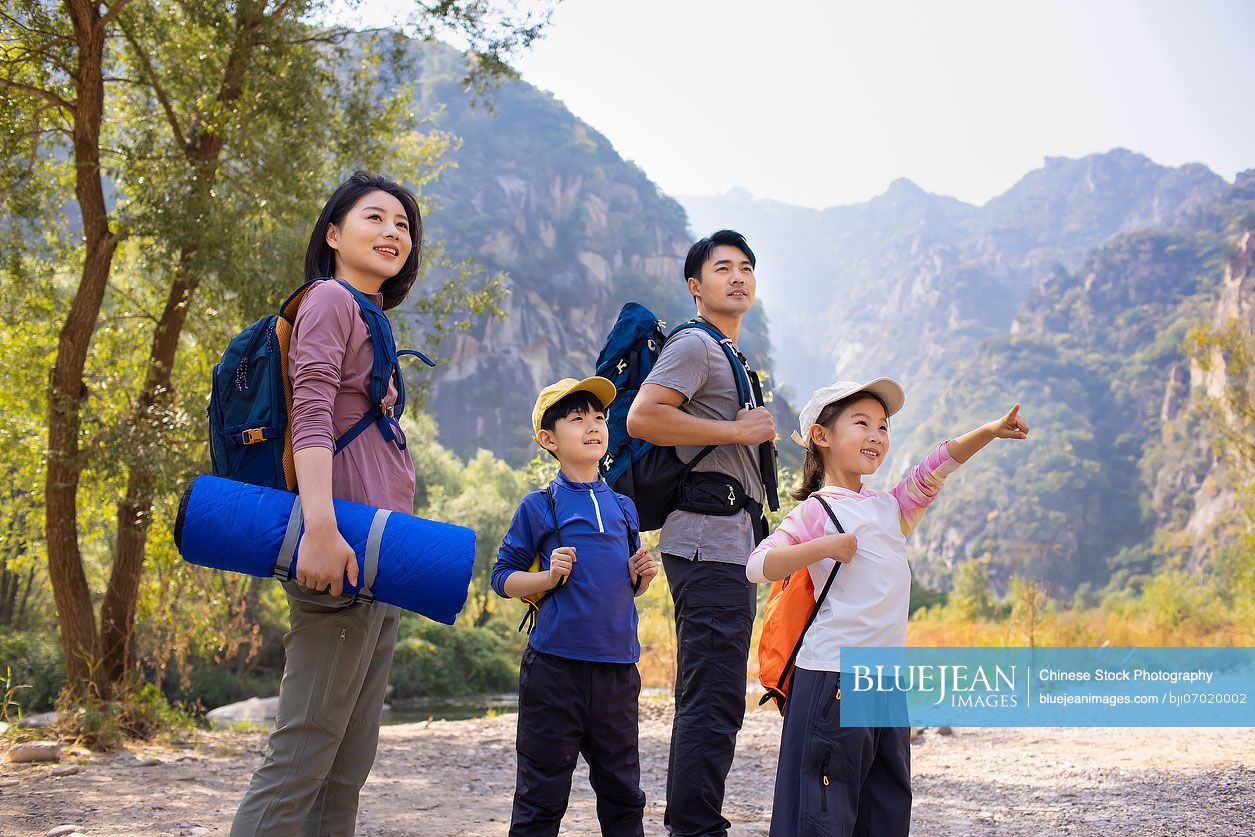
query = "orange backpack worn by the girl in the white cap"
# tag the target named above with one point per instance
(791, 608)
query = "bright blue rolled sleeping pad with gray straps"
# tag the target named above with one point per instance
(416, 564)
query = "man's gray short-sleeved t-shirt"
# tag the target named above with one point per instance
(695, 365)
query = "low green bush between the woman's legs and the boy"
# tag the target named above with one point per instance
(442, 661)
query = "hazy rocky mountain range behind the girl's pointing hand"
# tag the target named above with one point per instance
(1072, 293)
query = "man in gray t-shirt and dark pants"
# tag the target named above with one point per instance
(690, 401)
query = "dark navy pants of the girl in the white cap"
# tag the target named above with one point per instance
(834, 780)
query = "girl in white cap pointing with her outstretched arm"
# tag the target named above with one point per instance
(834, 780)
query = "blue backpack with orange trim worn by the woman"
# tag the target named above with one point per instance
(252, 397)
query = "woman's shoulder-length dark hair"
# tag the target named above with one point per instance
(321, 258)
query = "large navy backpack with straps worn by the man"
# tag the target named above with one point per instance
(654, 476)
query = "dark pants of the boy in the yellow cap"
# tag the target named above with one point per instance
(568, 708)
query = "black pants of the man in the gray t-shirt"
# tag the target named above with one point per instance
(715, 614)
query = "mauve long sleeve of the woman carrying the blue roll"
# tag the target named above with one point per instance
(321, 338)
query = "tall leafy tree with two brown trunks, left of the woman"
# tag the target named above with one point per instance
(219, 125)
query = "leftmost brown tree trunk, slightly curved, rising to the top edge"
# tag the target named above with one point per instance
(67, 391)
